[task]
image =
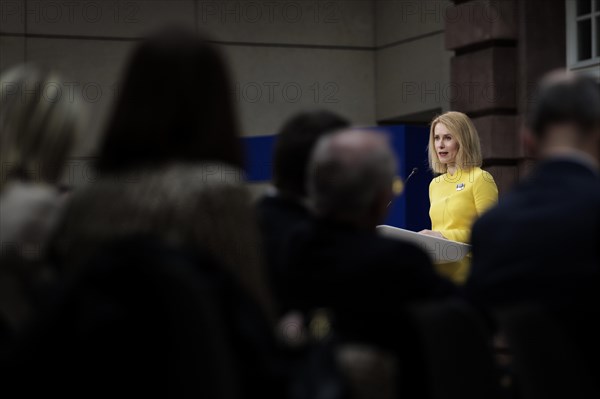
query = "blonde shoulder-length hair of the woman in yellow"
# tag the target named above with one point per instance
(463, 130)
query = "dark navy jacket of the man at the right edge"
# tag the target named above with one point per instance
(541, 241)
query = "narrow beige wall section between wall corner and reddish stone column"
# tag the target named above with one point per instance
(412, 65)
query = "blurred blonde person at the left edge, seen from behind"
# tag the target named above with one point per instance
(38, 129)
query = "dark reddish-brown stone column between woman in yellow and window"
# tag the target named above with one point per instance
(502, 47)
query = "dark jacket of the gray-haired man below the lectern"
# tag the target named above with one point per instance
(364, 279)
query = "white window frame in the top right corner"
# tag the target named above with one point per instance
(591, 66)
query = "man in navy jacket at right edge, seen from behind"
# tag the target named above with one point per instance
(541, 242)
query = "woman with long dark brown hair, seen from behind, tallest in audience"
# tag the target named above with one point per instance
(169, 164)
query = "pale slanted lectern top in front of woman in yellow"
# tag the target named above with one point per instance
(439, 250)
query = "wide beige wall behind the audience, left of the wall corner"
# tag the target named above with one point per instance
(310, 53)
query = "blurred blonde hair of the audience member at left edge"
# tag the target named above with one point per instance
(38, 125)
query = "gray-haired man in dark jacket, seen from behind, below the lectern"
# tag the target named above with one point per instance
(338, 261)
